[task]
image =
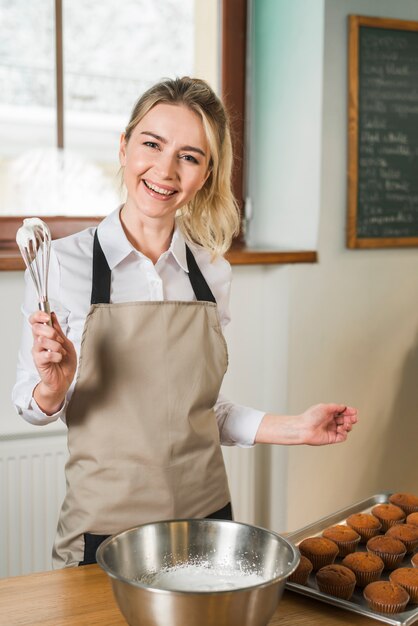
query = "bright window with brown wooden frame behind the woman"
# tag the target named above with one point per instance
(93, 111)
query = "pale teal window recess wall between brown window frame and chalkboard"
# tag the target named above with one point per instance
(285, 97)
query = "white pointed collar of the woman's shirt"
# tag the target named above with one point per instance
(116, 246)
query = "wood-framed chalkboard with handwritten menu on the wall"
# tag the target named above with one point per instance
(382, 133)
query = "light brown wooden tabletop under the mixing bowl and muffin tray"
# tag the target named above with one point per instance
(83, 597)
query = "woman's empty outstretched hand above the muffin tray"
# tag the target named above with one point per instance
(327, 423)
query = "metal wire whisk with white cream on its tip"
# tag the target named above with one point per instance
(34, 241)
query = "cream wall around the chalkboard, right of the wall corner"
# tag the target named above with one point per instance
(354, 323)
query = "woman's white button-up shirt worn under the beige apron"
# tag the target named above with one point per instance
(134, 278)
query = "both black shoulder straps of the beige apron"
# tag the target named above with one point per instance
(100, 291)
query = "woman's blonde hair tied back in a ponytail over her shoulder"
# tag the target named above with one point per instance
(212, 217)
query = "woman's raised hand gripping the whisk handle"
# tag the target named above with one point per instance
(55, 359)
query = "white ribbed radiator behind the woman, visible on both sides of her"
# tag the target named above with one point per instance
(32, 488)
